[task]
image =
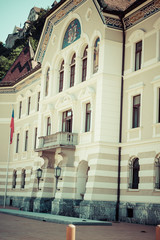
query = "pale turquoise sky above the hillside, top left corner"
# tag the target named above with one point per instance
(15, 13)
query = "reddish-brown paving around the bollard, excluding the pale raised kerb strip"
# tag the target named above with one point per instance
(18, 228)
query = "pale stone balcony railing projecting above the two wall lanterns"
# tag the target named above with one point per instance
(58, 139)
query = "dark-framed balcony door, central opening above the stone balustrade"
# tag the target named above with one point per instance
(67, 121)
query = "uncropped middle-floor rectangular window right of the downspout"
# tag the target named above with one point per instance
(136, 111)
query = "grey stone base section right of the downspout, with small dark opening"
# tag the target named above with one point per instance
(142, 213)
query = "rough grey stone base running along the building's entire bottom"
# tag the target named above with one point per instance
(141, 213)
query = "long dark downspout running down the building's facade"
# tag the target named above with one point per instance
(120, 125)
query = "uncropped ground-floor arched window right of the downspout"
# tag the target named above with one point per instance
(134, 173)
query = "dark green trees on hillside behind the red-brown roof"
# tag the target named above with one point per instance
(33, 33)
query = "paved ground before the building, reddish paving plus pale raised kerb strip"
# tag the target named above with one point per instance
(22, 227)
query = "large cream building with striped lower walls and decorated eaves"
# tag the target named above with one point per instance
(93, 109)
